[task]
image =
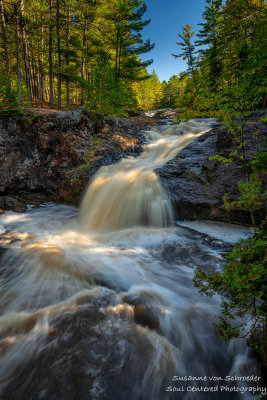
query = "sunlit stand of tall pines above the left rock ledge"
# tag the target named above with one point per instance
(66, 52)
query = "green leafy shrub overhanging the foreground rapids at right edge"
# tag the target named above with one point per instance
(243, 287)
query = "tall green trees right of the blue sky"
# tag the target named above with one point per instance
(232, 55)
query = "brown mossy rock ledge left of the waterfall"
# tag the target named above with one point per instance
(51, 156)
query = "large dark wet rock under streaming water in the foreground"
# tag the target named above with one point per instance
(78, 358)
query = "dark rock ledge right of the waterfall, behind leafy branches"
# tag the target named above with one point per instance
(196, 184)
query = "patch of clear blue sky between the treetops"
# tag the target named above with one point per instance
(167, 19)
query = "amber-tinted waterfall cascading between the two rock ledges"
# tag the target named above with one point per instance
(129, 193)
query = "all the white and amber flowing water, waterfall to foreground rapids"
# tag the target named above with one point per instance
(99, 303)
